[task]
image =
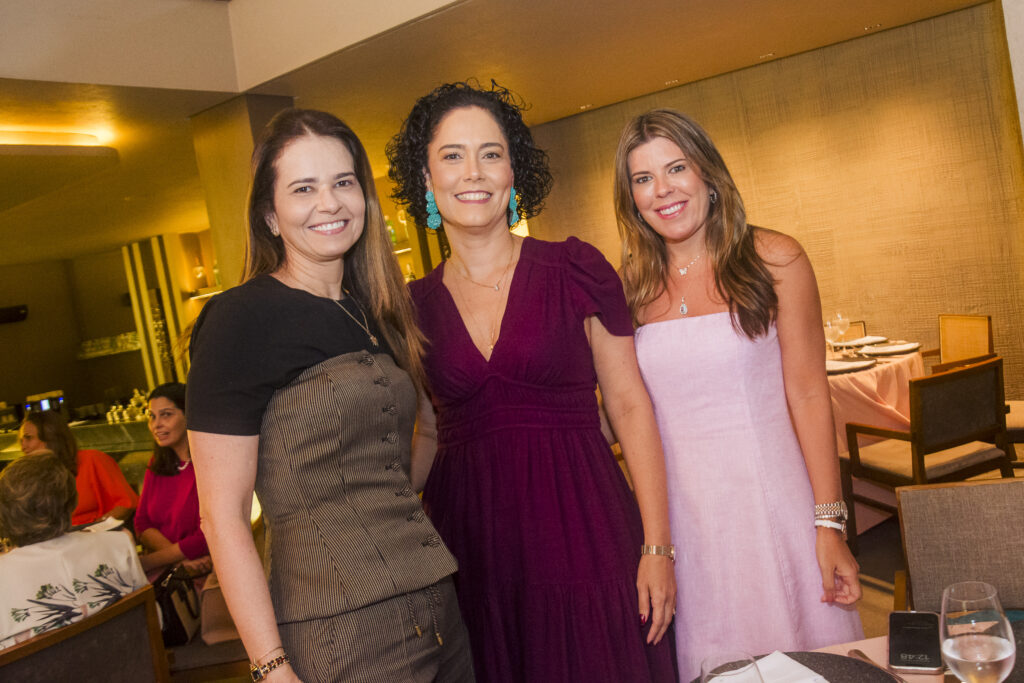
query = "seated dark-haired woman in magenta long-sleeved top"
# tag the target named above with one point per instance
(167, 521)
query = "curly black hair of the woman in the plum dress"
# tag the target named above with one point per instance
(407, 153)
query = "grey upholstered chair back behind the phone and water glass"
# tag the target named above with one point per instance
(961, 532)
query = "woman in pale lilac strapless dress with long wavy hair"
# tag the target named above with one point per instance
(732, 350)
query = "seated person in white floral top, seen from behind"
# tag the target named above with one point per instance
(53, 577)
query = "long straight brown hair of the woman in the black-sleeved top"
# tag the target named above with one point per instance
(372, 274)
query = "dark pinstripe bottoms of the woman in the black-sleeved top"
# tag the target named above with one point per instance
(416, 637)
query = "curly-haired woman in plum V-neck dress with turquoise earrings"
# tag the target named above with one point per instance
(563, 577)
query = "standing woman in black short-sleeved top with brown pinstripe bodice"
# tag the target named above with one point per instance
(305, 388)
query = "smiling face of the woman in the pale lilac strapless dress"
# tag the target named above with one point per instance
(668, 191)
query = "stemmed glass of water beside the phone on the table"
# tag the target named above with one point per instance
(977, 642)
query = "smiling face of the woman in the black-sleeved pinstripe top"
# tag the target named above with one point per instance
(319, 207)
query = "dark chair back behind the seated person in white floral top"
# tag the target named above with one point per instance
(119, 645)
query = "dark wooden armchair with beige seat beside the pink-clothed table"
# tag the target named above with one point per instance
(953, 414)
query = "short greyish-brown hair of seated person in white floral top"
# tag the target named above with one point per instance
(37, 499)
